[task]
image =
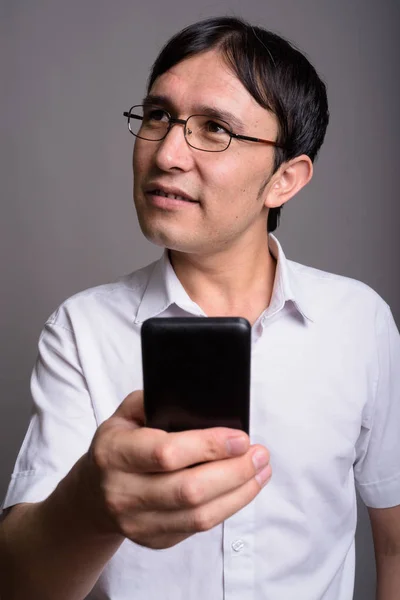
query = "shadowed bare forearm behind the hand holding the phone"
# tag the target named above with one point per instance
(54, 549)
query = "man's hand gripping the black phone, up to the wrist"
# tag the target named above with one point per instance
(147, 493)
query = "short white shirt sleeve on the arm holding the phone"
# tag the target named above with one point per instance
(62, 423)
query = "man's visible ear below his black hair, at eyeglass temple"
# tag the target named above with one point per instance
(288, 180)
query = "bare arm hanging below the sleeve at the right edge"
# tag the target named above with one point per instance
(385, 523)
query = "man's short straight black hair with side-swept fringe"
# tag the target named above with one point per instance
(278, 76)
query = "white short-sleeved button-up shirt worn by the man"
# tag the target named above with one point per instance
(325, 400)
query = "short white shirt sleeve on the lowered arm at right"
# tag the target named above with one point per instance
(377, 466)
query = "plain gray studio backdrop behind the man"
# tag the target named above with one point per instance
(69, 69)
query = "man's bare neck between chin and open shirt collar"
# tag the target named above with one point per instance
(229, 283)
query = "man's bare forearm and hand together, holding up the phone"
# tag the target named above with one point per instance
(132, 484)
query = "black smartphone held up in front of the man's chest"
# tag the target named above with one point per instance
(196, 372)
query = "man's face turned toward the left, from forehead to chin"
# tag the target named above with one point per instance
(229, 188)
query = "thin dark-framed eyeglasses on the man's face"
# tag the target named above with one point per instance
(202, 132)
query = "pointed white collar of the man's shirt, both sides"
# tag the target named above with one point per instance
(164, 288)
